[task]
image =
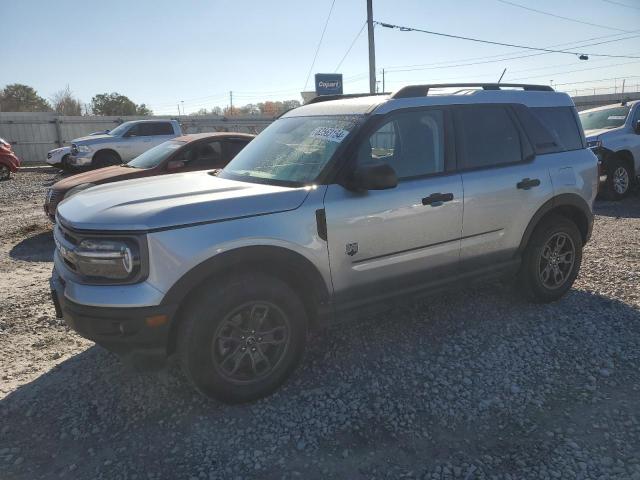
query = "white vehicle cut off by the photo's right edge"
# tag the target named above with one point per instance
(613, 132)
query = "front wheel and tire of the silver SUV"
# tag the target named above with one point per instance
(227, 358)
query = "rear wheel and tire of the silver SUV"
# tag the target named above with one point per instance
(547, 274)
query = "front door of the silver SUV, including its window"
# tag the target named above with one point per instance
(392, 241)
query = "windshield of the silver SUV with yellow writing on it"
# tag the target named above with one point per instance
(291, 151)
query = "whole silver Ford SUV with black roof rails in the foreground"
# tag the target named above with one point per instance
(338, 204)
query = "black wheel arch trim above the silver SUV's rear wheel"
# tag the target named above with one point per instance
(570, 206)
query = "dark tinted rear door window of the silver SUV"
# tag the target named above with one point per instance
(488, 136)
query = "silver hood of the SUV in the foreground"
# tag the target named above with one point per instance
(174, 200)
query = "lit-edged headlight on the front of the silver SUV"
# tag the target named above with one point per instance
(108, 259)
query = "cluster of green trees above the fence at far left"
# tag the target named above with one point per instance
(23, 98)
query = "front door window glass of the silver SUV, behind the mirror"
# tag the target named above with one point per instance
(412, 143)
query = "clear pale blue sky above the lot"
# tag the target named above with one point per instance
(162, 53)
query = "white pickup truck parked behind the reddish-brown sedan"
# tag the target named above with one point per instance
(121, 144)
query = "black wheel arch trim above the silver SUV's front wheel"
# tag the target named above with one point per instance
(287, 265)
